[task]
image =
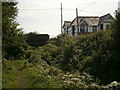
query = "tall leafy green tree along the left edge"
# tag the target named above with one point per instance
(13, 39)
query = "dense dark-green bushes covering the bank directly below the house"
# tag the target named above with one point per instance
(90, 53)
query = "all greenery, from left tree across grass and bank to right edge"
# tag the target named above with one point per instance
(84, 61)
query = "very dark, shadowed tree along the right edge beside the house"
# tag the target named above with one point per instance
(116, 47)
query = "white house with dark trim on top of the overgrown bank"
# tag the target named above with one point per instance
(87, 24)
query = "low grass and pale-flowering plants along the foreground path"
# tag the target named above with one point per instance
(41, 76)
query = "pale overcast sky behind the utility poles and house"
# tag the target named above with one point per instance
(44, 16)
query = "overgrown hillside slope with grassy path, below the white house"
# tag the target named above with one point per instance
(85, 61)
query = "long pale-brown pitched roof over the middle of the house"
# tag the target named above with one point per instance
(90, 20)
